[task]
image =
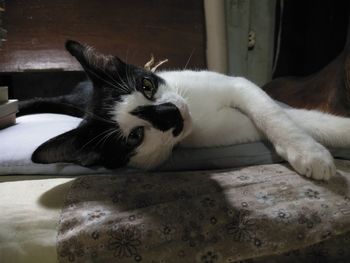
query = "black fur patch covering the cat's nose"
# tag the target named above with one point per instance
(163, 116)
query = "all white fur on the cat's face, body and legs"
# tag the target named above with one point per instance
(227, 110)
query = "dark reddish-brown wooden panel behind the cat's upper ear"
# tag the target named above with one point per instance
(132, 29)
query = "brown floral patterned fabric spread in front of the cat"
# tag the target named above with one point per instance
(204, 216)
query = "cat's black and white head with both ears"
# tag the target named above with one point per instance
(134, 117)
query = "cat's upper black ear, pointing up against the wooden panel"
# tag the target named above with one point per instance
(96, 65)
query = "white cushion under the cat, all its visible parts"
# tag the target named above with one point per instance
(18, 142)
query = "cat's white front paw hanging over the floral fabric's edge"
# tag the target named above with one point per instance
(310, 159)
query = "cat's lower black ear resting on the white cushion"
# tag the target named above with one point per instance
(65, 148)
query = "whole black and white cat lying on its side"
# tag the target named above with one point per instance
(133, 116)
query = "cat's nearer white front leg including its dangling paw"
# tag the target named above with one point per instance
(306, 156)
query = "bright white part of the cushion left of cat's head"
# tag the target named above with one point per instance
(18, 142)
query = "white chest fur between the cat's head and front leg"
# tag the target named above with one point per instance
(215, 121)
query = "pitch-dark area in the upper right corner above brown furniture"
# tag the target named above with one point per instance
(313, 33)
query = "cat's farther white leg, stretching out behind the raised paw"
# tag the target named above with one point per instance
(327, 129)
